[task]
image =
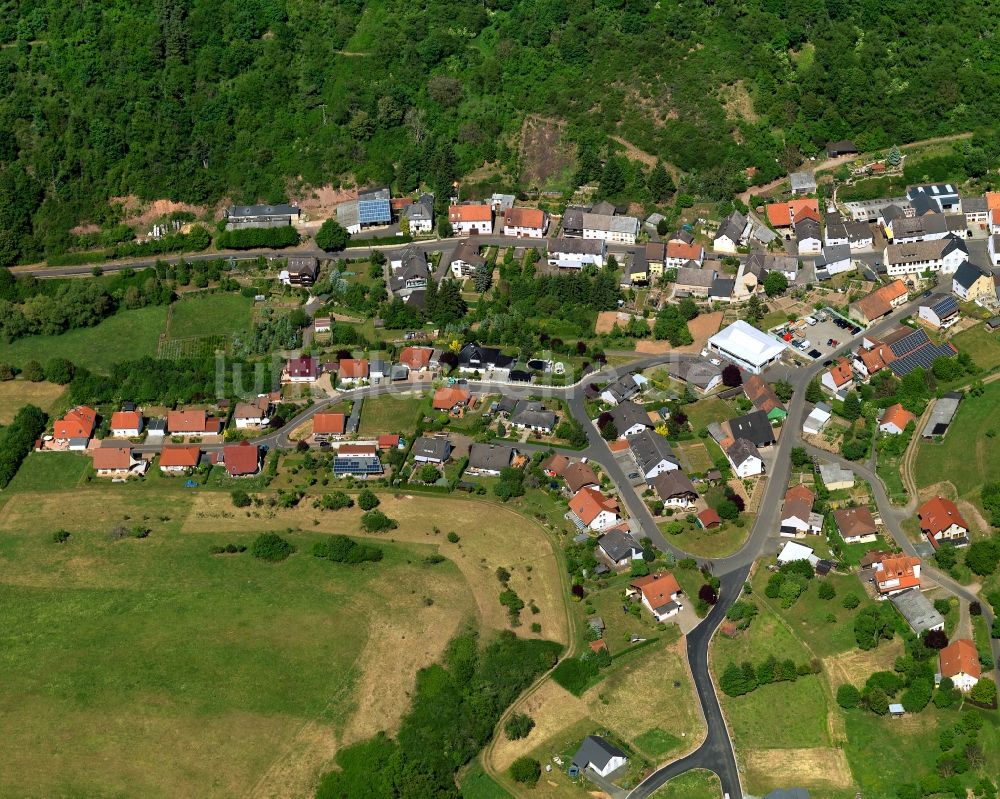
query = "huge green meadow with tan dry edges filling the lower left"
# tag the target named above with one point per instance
(183, 673)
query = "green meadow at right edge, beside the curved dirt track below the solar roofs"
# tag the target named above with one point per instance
(967, 455)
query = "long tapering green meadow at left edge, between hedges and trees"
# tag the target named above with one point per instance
(95, 347)
